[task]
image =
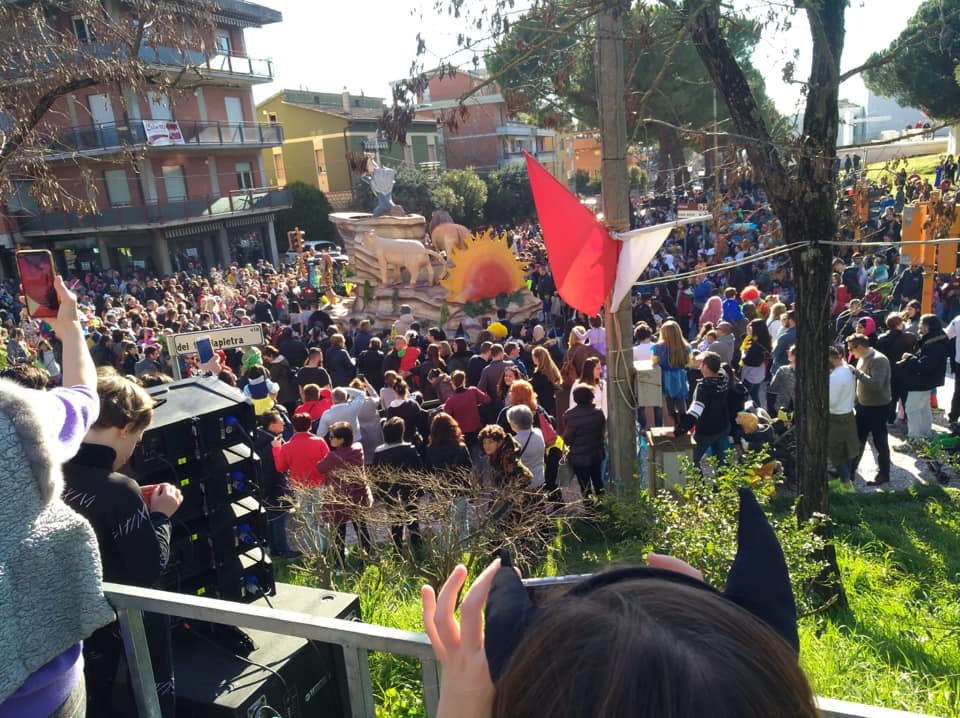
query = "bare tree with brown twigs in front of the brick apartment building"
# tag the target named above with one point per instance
(49, 50)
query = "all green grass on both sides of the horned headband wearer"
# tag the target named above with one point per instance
(898, 646)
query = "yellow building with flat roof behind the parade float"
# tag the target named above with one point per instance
(321, 128)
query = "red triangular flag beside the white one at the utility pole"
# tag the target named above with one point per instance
(582, 255)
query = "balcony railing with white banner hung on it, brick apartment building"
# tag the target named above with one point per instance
(104, 137)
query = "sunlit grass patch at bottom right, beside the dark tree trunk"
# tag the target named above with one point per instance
(899, 644)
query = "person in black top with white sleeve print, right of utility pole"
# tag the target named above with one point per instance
(709, 410)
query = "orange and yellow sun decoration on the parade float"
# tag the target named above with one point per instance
(485, 269)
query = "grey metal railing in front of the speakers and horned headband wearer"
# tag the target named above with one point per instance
(356, 639)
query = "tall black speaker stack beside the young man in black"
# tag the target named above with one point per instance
(200, 441)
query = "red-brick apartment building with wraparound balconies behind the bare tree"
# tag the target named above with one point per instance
(198, 191)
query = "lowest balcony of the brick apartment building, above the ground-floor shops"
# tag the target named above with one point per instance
(188, 211)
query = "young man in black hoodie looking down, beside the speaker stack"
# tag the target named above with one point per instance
(133, 530)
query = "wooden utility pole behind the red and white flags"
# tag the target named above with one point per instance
(621, 414)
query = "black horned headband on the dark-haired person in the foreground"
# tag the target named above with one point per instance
(758, 582)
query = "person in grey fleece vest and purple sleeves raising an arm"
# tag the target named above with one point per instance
(51, 580)
